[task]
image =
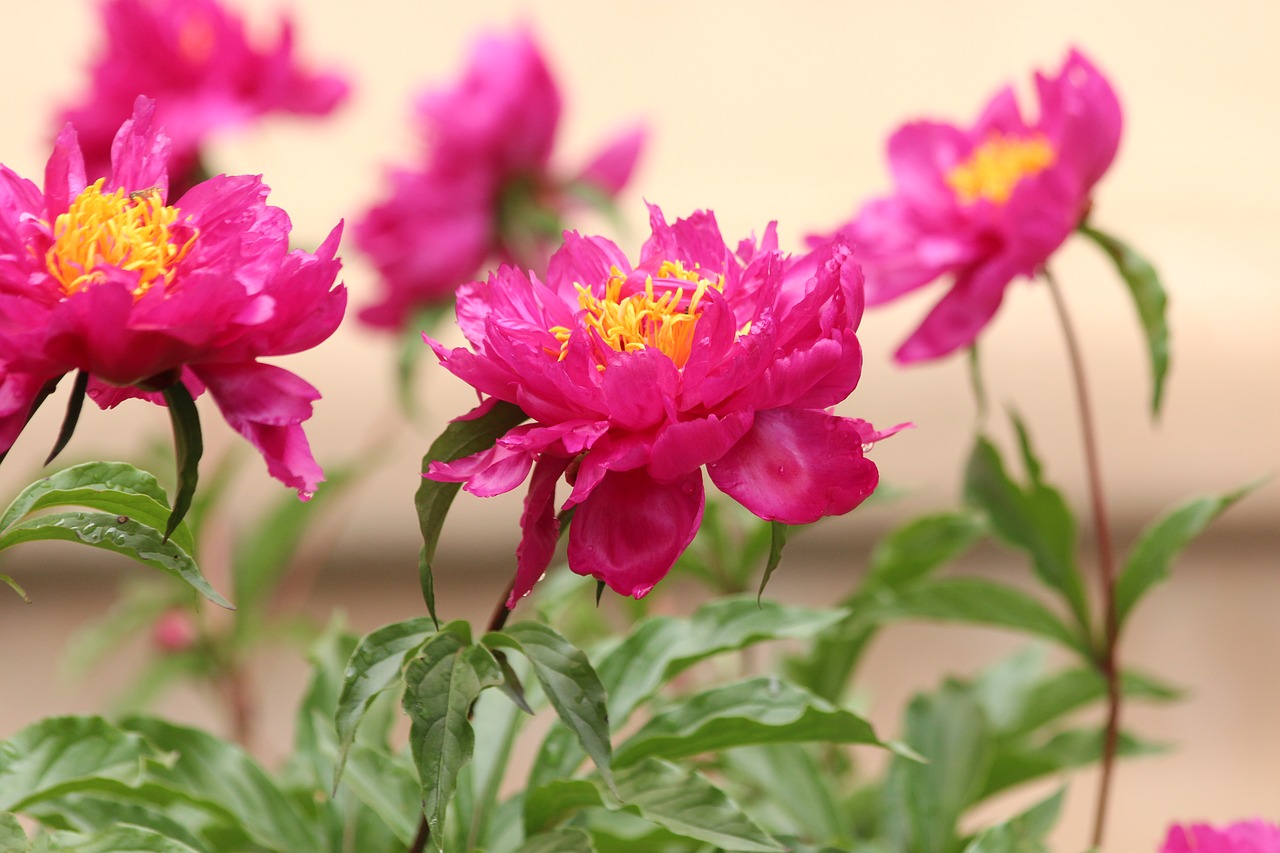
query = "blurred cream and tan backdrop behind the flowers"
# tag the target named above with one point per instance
(780, 113)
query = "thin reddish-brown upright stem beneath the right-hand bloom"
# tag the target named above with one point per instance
(1107, 656)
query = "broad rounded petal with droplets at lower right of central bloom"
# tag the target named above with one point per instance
(797, 466)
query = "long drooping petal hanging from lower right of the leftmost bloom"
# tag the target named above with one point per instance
(267, 405)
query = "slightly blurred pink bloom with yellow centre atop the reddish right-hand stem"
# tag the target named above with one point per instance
(986, 204)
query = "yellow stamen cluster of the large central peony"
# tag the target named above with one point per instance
(641, 321)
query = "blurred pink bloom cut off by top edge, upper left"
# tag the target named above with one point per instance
(194, 60)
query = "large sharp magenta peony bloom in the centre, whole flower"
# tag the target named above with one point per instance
(639, 377)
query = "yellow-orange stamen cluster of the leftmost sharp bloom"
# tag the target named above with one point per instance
(130, 231)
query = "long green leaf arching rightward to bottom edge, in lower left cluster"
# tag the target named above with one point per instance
(218, 774)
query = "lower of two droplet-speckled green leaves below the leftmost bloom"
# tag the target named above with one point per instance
(130, 537)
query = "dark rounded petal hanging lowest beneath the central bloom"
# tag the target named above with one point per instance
(632, 530)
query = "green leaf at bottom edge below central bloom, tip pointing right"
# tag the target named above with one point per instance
(679, 801)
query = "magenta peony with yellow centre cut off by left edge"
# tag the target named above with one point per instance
(111, 279)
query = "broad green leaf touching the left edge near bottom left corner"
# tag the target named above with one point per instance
(44, 759)
